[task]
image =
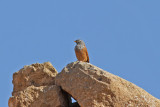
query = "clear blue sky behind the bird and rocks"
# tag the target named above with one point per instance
(122, 37)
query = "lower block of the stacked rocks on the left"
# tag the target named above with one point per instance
(43, 96)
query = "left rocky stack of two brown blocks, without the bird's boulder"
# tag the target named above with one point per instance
(34, 86)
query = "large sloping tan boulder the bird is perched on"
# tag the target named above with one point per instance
(94, 87)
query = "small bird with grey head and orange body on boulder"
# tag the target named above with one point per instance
(81, 51)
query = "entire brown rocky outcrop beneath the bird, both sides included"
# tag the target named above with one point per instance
(38, 85)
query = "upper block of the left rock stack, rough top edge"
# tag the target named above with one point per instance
(35, 74)
